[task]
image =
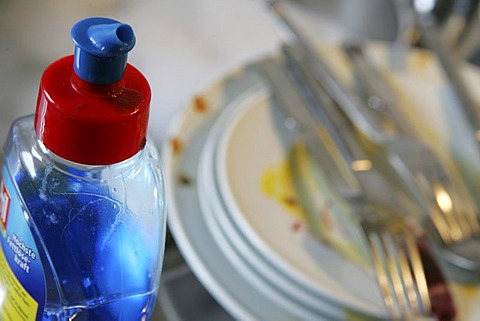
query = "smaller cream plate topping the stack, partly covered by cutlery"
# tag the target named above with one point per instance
(310, 270)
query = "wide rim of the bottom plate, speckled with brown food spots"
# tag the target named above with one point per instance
(236, 294)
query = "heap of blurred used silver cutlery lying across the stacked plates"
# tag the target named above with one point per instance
(370, 154)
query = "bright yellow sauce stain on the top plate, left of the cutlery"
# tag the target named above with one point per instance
(277, 183)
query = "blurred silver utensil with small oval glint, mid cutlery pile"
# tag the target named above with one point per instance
(361, 161)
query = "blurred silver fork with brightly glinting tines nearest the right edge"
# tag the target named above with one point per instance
(409, 163)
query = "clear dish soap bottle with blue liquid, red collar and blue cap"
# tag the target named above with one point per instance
(82, 195)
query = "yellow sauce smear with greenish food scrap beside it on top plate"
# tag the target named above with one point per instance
(311, 205)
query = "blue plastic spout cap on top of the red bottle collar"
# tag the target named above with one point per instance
(101, 49)
